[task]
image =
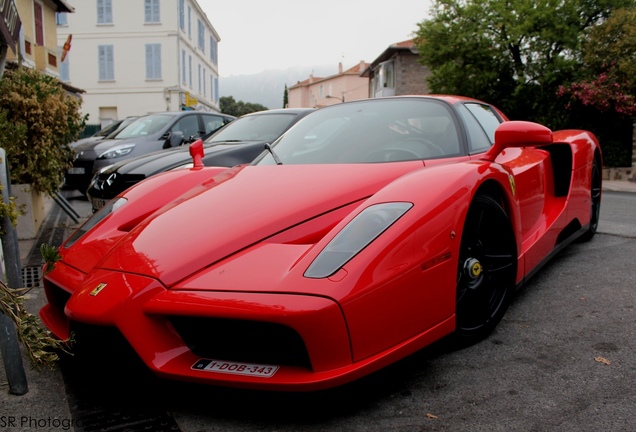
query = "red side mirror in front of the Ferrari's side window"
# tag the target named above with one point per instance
(518, 134)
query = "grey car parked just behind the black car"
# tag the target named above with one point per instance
(145, 135)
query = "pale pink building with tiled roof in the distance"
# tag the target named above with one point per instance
(318, 92)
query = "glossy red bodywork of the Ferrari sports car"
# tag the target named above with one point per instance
(208, 246)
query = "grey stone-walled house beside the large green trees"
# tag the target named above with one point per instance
(397, 71)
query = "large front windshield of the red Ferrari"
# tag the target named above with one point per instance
(373, 130)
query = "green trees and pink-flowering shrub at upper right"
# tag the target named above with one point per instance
(565, 64)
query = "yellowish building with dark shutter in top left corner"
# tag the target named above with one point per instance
(38, 37)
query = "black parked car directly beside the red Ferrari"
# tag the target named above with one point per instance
(239, 142)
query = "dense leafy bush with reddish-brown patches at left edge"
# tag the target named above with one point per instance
(37, 119)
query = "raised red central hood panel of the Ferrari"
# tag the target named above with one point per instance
(239, 208)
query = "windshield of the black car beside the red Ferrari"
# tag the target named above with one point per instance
(265, 127)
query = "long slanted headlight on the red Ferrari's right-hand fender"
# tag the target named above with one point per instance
(358, 234)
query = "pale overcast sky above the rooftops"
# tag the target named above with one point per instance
(257, 35)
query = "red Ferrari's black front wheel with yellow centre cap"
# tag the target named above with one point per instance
(486, 269)
